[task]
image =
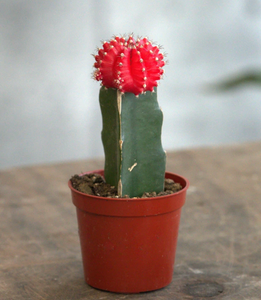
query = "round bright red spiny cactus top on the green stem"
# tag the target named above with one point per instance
(129, 65)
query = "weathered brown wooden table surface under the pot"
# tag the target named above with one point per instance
(219, 247)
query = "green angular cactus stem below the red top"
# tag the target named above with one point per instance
(131, 136)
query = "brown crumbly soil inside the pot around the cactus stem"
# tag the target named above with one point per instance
(94, 184)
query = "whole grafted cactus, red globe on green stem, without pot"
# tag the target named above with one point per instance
(132, 119)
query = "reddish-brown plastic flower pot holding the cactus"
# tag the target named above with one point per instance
(129, 245)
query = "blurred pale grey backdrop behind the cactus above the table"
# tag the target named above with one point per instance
(49, 110)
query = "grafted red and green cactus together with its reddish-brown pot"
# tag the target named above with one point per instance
(128, 241)
